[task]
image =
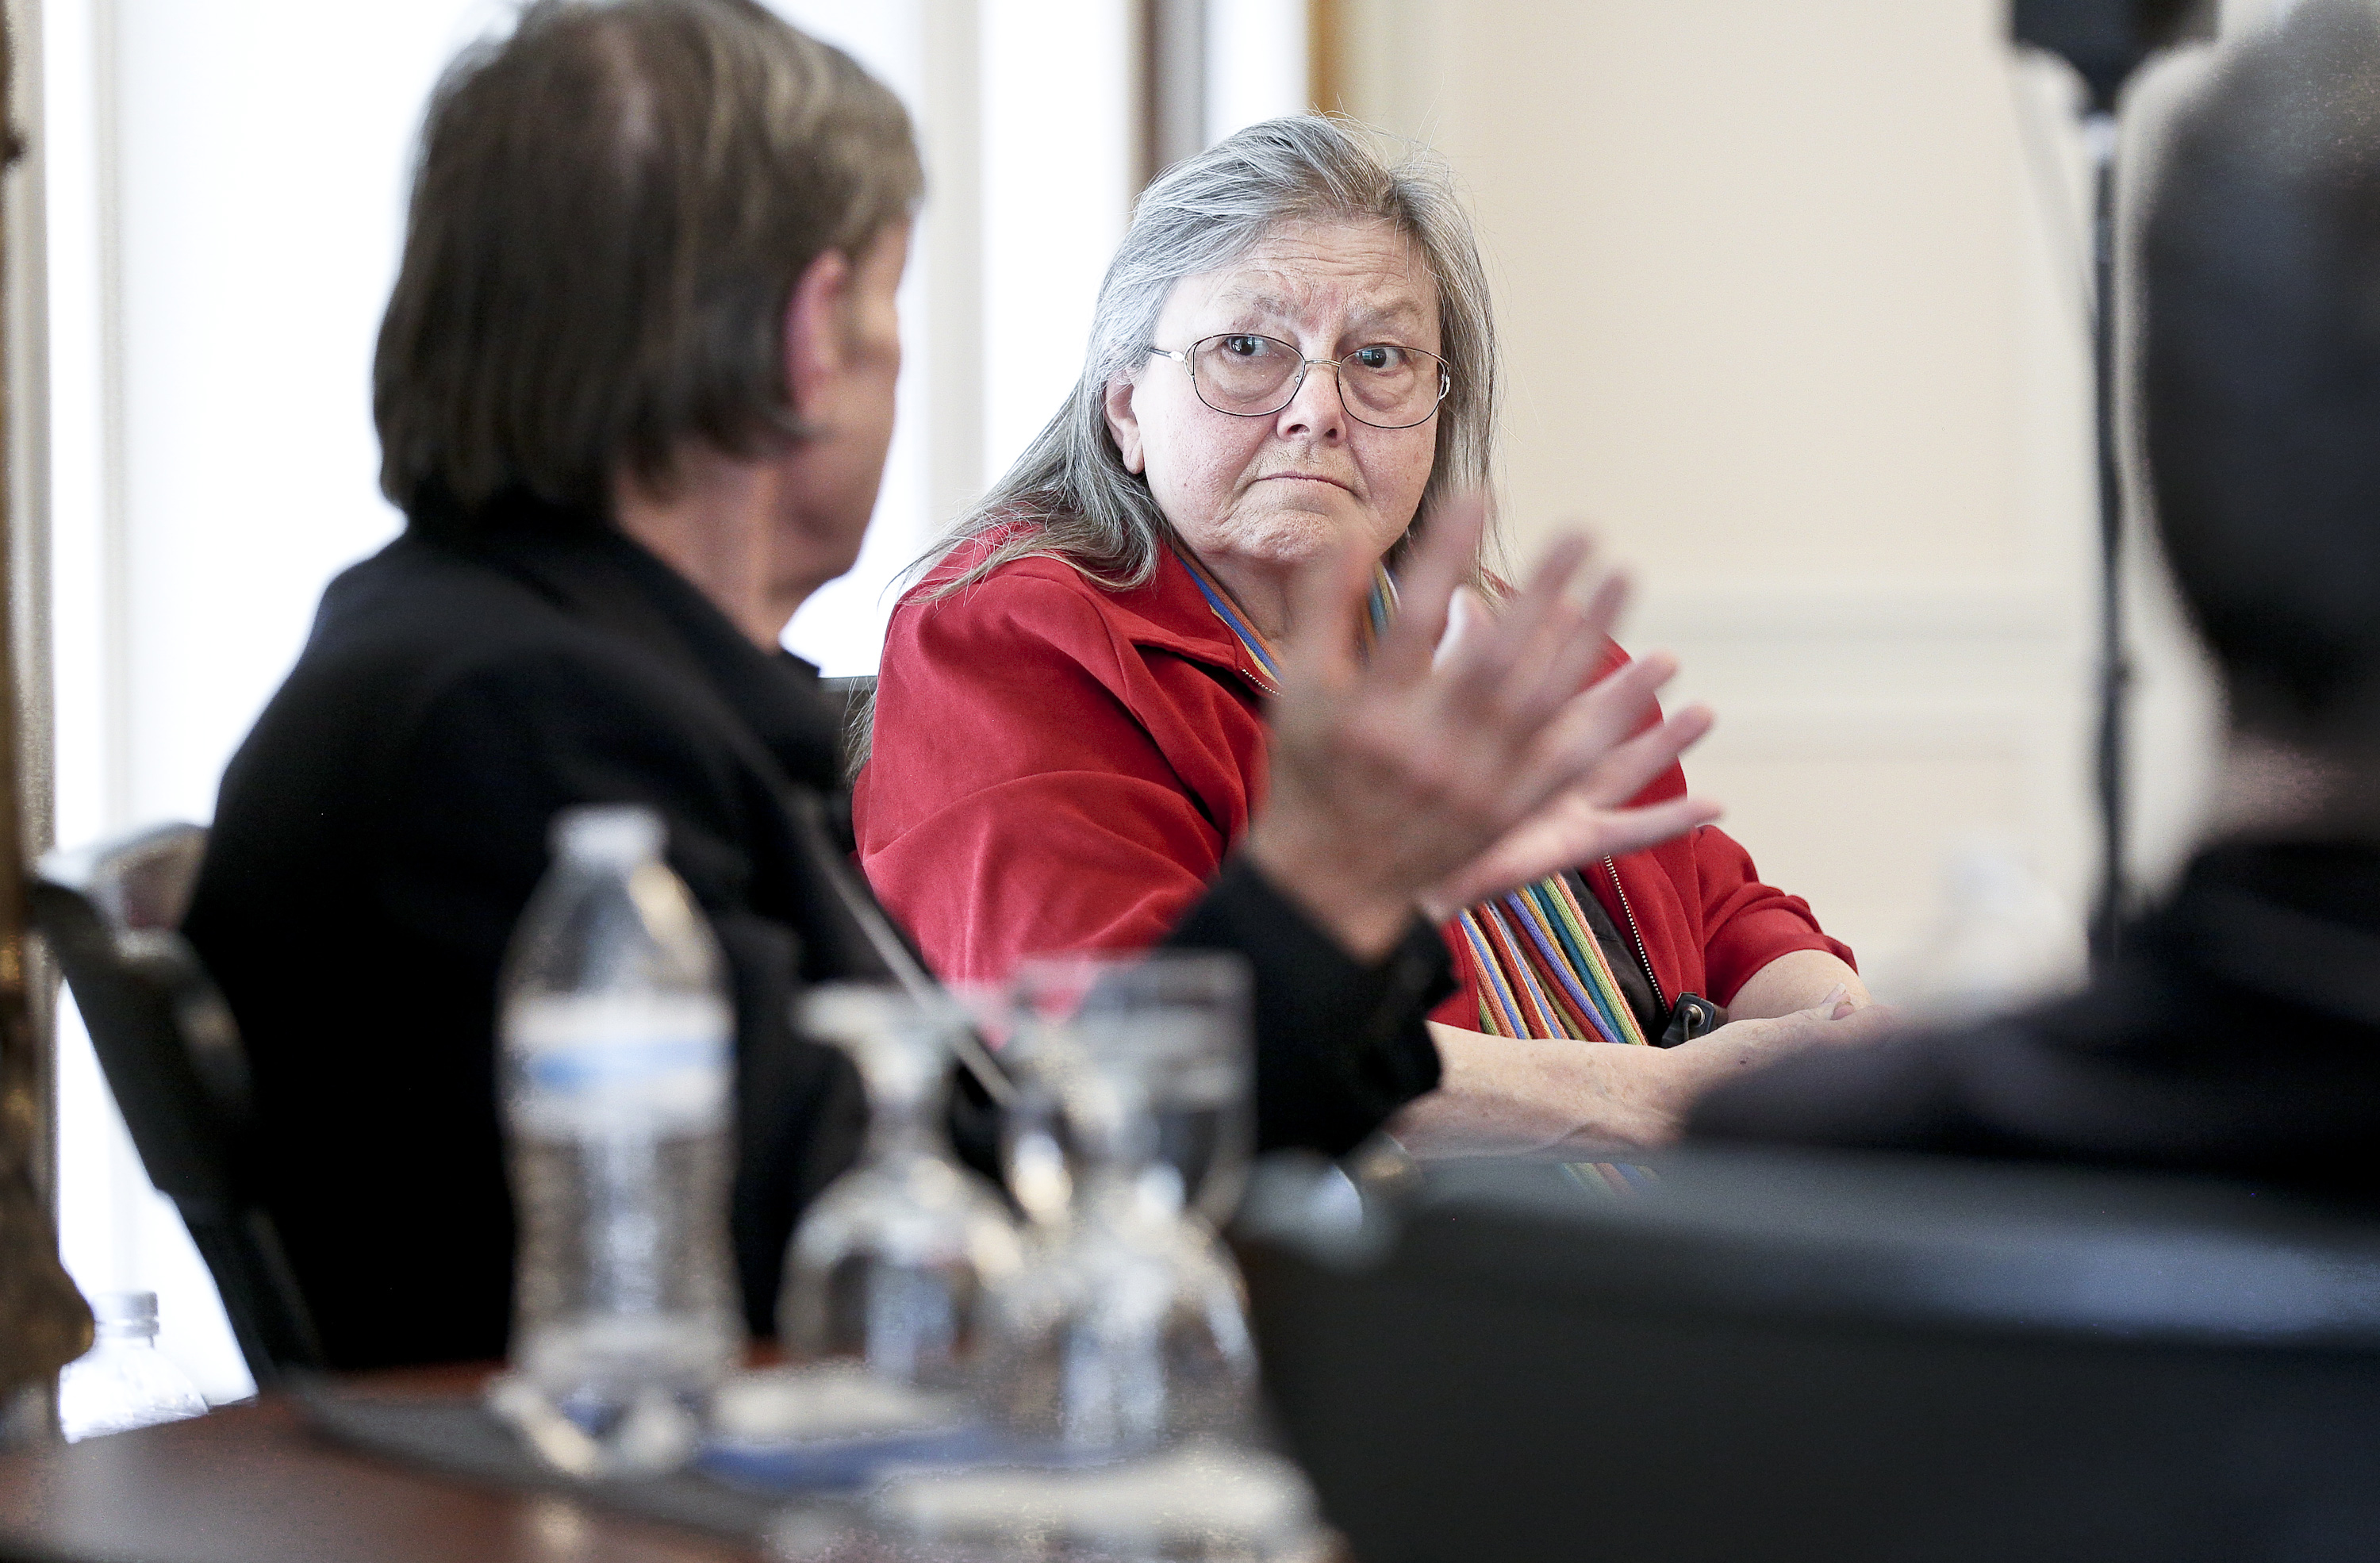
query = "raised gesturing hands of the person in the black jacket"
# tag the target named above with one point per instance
(1408, 779)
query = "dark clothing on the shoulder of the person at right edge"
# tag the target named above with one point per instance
(2238, 1034)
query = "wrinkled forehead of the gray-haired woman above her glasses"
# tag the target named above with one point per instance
(1332, 277)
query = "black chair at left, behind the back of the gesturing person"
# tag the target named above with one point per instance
(177, 1069)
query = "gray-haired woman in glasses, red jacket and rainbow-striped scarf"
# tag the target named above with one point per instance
(1291, 382)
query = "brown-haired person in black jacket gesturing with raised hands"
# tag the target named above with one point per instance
(634, 396)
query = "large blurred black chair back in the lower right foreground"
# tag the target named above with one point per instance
(1846, 1360)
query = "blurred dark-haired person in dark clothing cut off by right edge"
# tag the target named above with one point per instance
(2241, 1027)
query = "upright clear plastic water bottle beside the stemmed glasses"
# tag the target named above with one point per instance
(618, 1079)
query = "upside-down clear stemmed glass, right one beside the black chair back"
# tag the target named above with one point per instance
(1127, 1329)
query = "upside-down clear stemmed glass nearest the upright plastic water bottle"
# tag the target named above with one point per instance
(894, 1257)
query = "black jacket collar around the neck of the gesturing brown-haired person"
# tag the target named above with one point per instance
(601, 577)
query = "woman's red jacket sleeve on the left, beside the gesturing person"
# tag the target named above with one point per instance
(1027, 784)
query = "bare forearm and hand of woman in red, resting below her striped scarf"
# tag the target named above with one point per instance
(1591, 1100)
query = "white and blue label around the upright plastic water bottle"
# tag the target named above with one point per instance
(618, 1065)
